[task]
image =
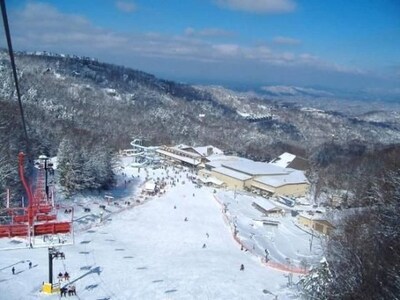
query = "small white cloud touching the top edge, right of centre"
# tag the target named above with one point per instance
(259, 6)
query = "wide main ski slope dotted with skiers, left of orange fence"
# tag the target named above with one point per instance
(151, 252)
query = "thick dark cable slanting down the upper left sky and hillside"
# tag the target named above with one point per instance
(14, 69)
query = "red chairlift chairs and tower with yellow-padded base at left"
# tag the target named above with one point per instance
(39, 224)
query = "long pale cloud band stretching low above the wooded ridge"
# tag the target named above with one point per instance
(74, 34)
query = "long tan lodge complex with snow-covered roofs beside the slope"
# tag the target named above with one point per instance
(240, 173)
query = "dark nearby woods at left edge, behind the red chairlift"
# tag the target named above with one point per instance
(85, 159)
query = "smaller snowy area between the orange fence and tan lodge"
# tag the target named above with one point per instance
(287, 244)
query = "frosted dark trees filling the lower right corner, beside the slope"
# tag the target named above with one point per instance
(362, 256)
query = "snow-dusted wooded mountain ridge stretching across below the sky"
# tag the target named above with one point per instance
(118, 102)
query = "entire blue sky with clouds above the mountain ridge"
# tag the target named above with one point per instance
(348, 45)
